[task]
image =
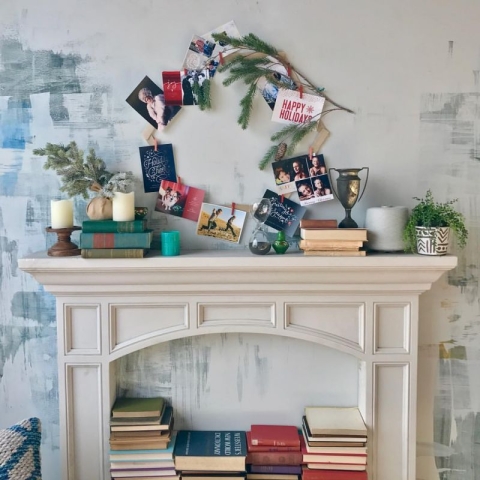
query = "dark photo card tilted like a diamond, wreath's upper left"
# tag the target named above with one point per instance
(148, 100)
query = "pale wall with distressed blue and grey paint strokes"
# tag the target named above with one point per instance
(409, 70)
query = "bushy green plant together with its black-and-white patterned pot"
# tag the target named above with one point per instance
(428, 227)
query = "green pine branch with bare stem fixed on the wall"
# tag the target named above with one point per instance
(251, 60)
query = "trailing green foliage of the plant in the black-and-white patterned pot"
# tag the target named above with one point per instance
(431, 214)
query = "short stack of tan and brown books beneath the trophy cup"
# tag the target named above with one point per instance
(319, 239)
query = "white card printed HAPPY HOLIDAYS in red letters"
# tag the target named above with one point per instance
(295, 107)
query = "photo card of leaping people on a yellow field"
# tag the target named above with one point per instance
(219, 222)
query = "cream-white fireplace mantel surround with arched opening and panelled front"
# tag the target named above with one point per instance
(364, 306)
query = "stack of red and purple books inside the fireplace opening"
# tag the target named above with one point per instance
(273, 453)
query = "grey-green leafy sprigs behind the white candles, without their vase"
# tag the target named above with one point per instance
(78, 175)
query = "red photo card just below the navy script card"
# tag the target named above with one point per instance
(179, 200)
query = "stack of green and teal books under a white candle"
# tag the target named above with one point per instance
(111, 239)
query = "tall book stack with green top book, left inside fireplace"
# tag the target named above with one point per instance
(141, 439)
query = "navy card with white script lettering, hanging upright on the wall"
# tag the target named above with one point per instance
(157, 166)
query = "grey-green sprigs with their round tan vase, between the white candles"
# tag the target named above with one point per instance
(81, 175)
